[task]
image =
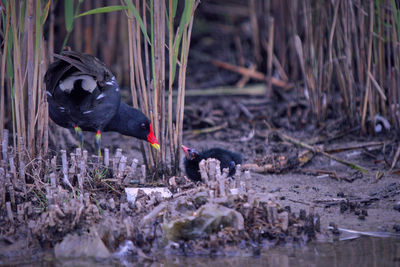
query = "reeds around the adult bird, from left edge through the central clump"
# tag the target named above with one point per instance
(139, 36)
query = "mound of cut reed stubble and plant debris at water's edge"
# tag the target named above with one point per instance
(218, 216)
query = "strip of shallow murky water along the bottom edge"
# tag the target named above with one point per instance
(363, 251)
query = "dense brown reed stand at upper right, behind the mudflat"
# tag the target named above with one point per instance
(343, 54)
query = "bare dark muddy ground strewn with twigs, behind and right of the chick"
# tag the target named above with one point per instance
(352, 200)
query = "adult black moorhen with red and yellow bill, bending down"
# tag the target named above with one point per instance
(82, 93)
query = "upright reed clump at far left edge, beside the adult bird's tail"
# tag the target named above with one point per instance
(23, 64)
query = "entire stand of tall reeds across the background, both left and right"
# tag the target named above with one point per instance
(342, 55)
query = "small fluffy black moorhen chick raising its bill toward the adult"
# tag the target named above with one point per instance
(227, 158)
